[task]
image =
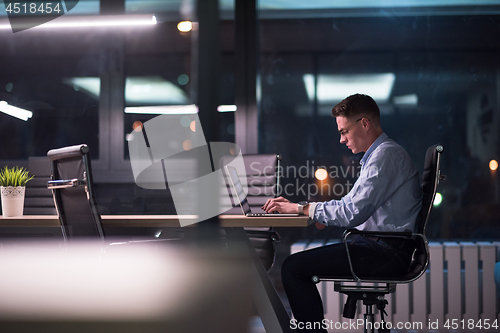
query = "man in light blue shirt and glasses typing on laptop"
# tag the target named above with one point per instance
(386, 197)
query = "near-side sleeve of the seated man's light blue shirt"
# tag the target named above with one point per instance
(380, 177)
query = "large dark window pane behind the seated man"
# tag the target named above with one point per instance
(433, 70)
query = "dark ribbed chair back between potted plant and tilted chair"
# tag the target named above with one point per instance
(39, 199)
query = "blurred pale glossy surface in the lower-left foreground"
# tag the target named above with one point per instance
(144, 287)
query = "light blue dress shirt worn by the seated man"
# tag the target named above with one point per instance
(386, 197)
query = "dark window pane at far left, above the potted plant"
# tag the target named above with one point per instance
(61, 94)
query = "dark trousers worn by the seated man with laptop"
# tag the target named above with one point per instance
(370, 257)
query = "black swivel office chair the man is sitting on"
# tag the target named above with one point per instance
(374, 295)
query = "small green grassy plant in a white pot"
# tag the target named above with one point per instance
(12, 186)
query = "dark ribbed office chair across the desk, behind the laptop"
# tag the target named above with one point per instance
(263, 184)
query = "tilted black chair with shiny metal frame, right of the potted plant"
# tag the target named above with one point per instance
(73, 192)
